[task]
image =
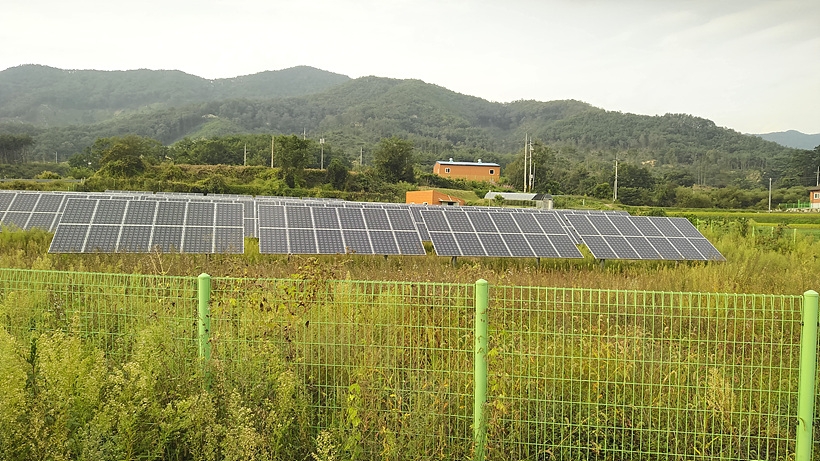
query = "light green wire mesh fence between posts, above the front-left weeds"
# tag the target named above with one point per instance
(387, 368)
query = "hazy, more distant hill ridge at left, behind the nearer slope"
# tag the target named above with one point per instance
(46, 96)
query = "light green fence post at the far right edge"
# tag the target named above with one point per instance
(808, 375)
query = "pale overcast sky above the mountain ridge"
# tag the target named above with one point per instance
(749, 65)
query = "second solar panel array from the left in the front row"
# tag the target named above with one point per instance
(299, 229)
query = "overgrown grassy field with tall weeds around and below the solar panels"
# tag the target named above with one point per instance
(362, 357)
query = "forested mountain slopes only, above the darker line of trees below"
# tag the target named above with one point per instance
(353, 115)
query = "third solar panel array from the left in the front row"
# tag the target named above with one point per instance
(480, 233)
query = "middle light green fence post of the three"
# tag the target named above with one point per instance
(481, 324)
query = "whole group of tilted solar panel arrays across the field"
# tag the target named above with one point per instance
(193, 223)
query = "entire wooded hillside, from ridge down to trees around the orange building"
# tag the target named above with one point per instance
(380, 136)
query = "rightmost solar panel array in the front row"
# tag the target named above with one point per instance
(643, 237)
